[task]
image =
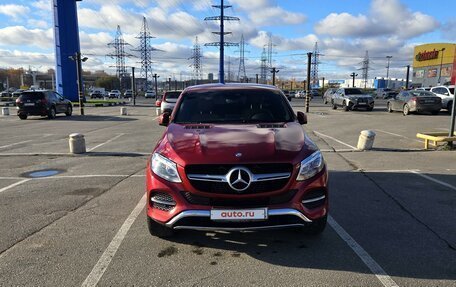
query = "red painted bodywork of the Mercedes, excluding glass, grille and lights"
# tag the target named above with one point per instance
(218, 144)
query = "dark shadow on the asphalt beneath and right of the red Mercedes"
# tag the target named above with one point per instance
(382, 211)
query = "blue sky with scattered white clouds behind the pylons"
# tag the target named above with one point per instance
(344, 30)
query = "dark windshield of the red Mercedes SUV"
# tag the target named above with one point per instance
(233, 106)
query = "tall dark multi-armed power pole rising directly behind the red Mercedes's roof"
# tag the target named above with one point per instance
(222, 18)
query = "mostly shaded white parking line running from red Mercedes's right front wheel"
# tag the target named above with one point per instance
(376, 269)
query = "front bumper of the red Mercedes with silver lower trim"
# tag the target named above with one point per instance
(304, 202)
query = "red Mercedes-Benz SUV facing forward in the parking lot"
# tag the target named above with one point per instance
(235, 157)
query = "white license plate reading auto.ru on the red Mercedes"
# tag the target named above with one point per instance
(239, 214)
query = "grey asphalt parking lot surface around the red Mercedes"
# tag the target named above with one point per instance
(392, 209)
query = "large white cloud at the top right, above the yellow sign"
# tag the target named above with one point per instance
(387, 18)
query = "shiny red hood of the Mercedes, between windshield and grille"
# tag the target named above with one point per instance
(211, 144)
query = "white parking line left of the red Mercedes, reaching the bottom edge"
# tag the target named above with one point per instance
(105, 259)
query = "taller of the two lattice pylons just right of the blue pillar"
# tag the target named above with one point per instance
(145, 49)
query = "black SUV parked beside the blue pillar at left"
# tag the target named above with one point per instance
(42, 103)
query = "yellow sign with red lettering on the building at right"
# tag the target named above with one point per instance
(434, 54)
